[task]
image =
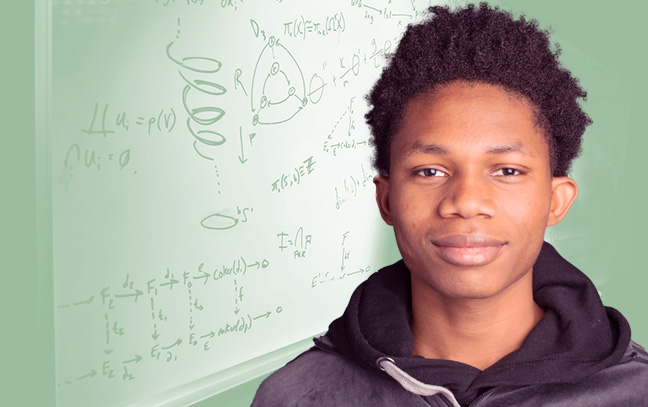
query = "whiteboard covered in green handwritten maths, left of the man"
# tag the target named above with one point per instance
(211, 184)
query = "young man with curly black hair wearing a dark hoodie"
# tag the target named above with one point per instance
(475, 125)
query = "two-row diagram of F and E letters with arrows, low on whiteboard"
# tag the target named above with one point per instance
(166, 343)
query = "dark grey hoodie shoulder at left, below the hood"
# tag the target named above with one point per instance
(323, 378)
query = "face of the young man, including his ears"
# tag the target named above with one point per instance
(470, 190)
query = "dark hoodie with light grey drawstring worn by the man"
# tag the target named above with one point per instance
(579, 354)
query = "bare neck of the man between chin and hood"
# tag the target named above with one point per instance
(477, 332)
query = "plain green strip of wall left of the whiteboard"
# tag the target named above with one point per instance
(27, 349)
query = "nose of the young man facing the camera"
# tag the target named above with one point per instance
(468, 196)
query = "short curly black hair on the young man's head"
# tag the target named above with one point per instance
(485, 45)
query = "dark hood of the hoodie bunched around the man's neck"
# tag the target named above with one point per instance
(576, 337)
